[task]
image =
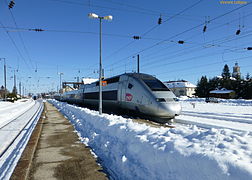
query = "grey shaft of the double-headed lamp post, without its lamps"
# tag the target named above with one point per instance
(100, 71)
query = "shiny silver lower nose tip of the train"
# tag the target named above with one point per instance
(169, 109)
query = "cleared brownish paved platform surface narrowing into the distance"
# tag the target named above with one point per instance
(58, 154)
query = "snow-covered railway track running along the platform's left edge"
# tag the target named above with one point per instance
(15, 134)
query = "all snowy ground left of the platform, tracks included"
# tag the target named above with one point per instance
(17, 121)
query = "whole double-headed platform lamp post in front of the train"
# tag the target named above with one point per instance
(95, 16)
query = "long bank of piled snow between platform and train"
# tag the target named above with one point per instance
(129, 150)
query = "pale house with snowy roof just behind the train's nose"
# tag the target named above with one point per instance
(181, 88)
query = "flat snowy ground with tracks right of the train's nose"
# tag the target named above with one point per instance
(231, 114)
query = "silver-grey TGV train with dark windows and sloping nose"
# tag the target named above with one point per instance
(139, 93)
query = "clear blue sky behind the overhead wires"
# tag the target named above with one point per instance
(70, 42)
